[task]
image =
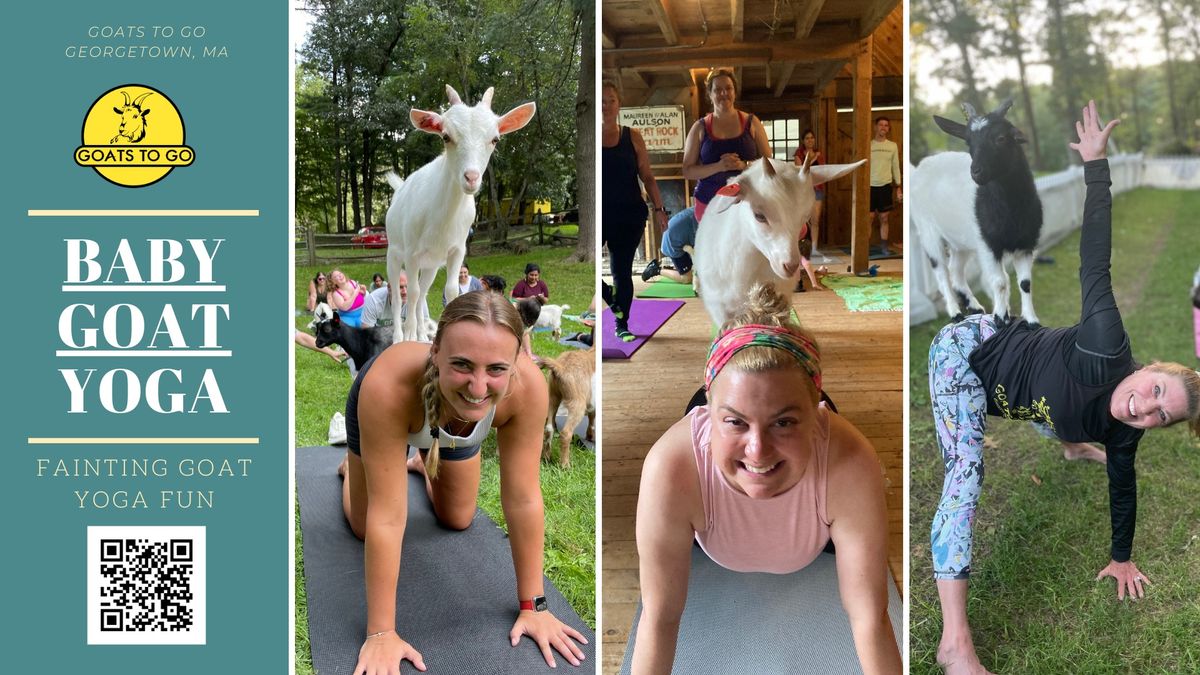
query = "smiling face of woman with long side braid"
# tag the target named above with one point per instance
(476, 366)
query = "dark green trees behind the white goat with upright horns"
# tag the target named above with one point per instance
(365, 64)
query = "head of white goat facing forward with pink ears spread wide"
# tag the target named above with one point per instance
(471, 134)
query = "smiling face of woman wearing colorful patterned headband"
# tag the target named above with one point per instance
(763, 425)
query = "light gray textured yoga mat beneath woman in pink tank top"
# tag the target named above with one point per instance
(737, 623)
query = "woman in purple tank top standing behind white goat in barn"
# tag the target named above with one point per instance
(722, 144)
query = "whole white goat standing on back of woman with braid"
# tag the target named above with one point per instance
(433, 211)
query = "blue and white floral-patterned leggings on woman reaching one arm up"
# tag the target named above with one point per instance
(961, 409)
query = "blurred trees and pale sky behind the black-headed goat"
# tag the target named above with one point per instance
(1113, 52)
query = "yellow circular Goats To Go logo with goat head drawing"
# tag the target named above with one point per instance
(134, 136)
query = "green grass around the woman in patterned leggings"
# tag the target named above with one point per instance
(1042, 529)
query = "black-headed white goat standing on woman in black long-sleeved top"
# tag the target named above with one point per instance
(980, 204)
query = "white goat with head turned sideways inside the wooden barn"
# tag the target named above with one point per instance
(753, 236)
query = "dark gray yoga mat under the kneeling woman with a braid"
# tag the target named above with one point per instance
(457, 599)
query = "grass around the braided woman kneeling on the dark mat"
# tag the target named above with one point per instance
(569, 495)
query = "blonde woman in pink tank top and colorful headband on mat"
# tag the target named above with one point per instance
(763, 477)
